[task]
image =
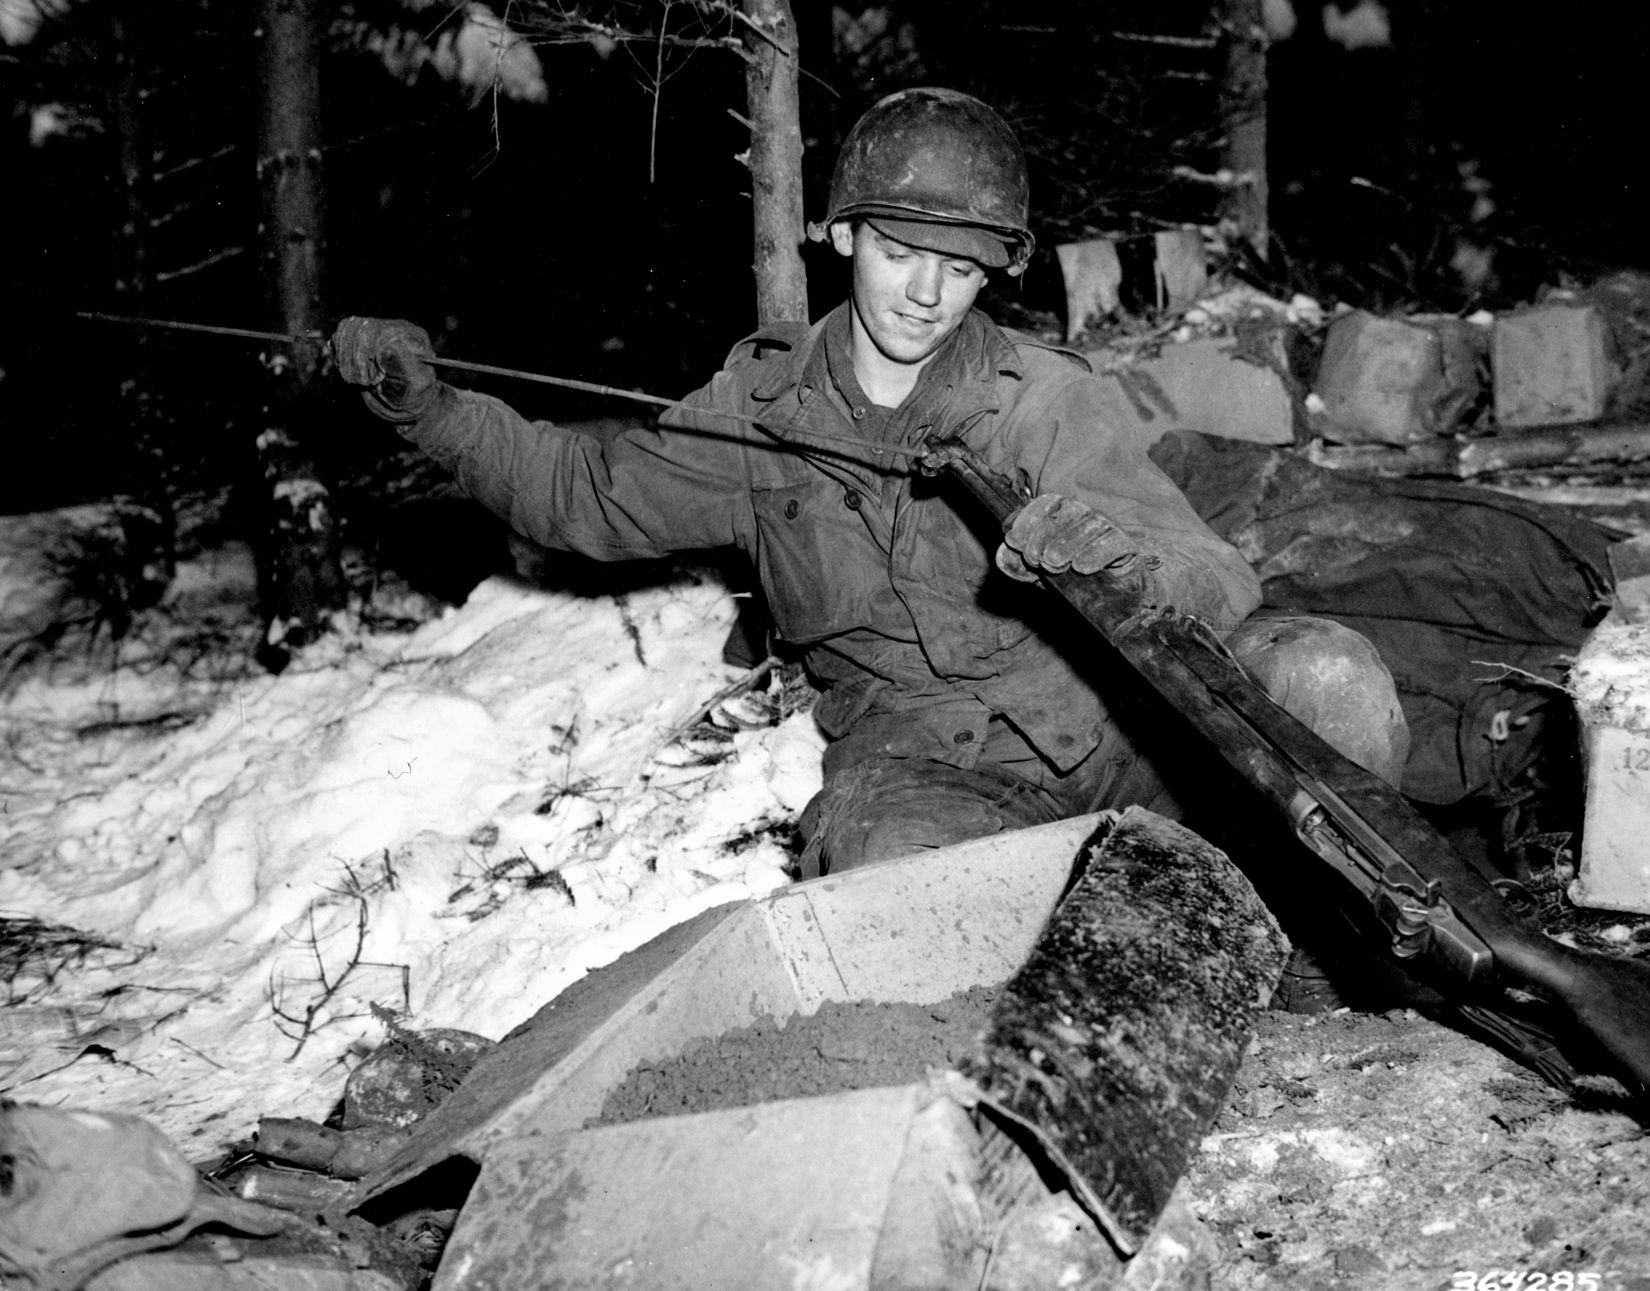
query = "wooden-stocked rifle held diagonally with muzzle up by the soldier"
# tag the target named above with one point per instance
(1431, 906)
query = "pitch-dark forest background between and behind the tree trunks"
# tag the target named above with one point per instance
(605, 232)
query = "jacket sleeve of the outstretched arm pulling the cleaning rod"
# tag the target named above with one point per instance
(634, 493)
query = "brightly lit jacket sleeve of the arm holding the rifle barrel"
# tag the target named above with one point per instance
(1070, 442)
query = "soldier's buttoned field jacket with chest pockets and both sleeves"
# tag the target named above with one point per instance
(884, 577)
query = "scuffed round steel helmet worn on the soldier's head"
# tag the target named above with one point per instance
(936, 169)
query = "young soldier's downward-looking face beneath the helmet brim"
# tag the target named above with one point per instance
(907, 301)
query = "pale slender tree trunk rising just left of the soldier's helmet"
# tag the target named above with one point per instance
(776, 163)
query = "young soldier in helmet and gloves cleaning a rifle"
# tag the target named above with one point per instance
(956, 704)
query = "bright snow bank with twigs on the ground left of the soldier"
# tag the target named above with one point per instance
(451, 823)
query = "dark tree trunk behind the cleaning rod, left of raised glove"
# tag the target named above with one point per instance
(301, 575)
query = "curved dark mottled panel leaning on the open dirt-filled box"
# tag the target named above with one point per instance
(1120, 1039)
